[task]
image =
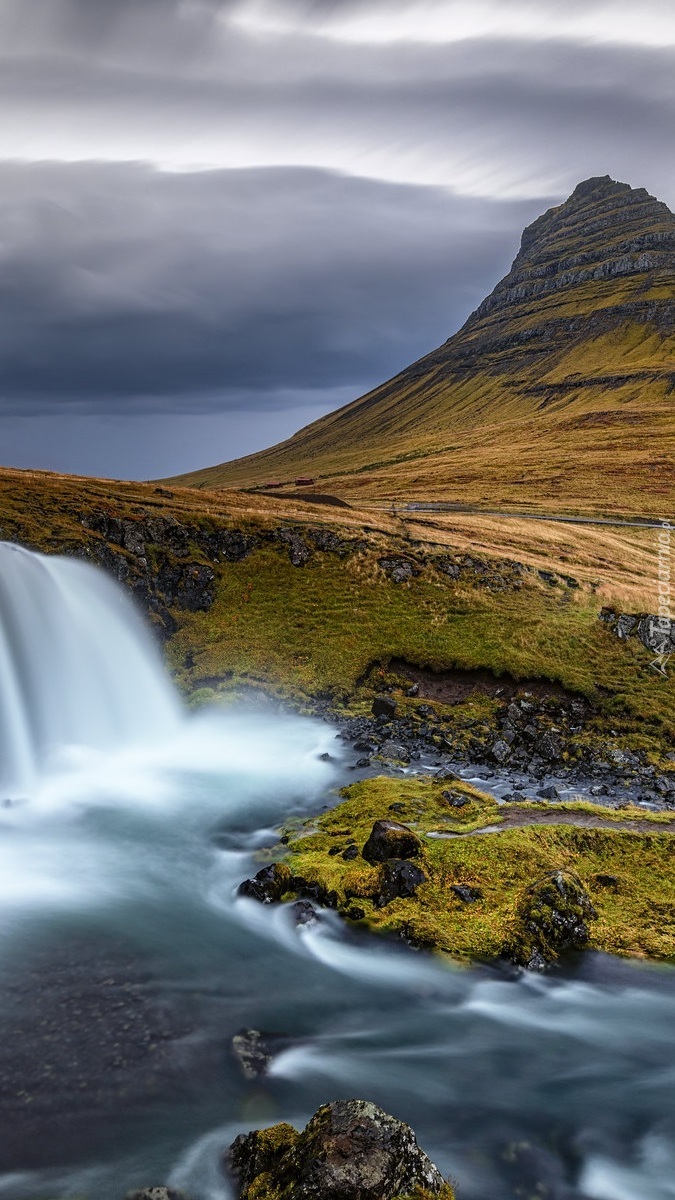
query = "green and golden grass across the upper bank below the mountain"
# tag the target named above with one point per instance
(315, 631)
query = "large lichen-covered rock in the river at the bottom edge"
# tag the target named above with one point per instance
(351, 1150)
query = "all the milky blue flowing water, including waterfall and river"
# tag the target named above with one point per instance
(129, 963)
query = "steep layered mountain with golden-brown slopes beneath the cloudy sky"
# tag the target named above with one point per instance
(558, 393)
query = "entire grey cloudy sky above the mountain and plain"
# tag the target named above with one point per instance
(220, 219)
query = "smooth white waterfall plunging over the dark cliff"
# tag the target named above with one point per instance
(77, 668)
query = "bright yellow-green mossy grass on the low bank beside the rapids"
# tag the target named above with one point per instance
(630, 877)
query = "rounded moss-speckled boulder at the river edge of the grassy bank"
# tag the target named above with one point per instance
(554, 917)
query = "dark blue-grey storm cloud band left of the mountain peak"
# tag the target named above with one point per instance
(120, 284)
